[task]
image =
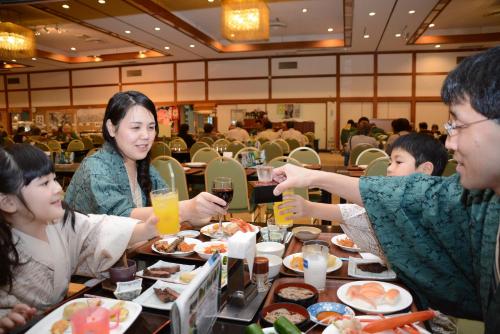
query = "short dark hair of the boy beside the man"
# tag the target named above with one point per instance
(423, 148)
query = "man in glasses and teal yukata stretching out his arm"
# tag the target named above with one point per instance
(440, 234)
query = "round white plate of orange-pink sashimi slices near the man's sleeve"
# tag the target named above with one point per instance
(374, 297)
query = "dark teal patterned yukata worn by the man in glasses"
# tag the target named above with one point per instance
(440, 239)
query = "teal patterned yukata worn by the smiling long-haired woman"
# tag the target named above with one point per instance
(101, 185)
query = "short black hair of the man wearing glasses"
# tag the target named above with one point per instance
(476, 78)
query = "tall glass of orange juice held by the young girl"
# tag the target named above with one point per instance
(166, 207)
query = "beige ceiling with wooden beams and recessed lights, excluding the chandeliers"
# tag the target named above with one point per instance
(96, 29)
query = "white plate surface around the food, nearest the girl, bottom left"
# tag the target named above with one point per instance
(44, 325)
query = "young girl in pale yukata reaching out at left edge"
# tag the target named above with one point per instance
(42, 242)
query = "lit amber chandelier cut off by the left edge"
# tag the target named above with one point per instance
(16, 41)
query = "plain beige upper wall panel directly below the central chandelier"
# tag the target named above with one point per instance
(238, 68)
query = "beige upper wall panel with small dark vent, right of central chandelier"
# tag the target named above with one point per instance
(305, 65)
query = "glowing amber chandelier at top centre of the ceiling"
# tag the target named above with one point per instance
(245, 20)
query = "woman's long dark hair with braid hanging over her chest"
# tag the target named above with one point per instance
(118, 106)
